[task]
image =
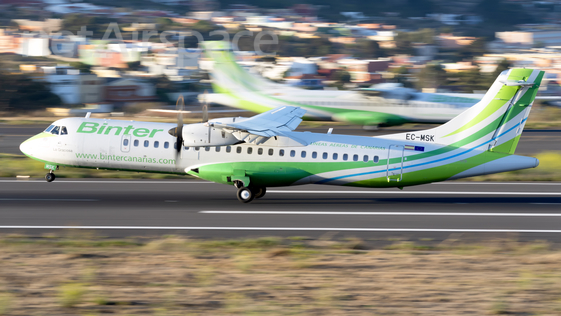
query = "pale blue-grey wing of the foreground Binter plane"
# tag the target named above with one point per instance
(261, 127)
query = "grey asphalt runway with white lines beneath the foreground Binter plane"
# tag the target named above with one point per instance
(122, 208)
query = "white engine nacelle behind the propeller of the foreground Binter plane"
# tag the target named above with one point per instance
(200, 134)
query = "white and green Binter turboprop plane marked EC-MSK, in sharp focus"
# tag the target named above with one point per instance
(263, 151)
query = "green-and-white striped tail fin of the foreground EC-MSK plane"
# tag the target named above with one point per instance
(496, 121)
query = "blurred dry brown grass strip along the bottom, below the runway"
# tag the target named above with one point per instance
(177, 276)
